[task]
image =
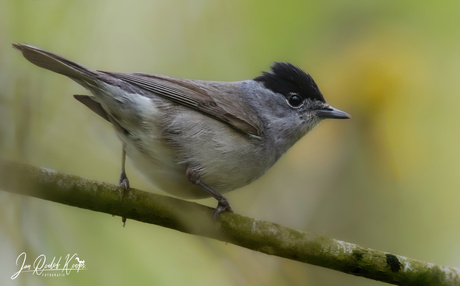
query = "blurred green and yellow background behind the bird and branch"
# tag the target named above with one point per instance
(386, 179)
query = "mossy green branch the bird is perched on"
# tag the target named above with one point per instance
(266, 237)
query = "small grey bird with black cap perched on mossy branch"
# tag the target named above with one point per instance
(195, 138)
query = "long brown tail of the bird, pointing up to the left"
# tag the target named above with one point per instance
(55, 63)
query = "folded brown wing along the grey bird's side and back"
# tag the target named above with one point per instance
(216, 100)
